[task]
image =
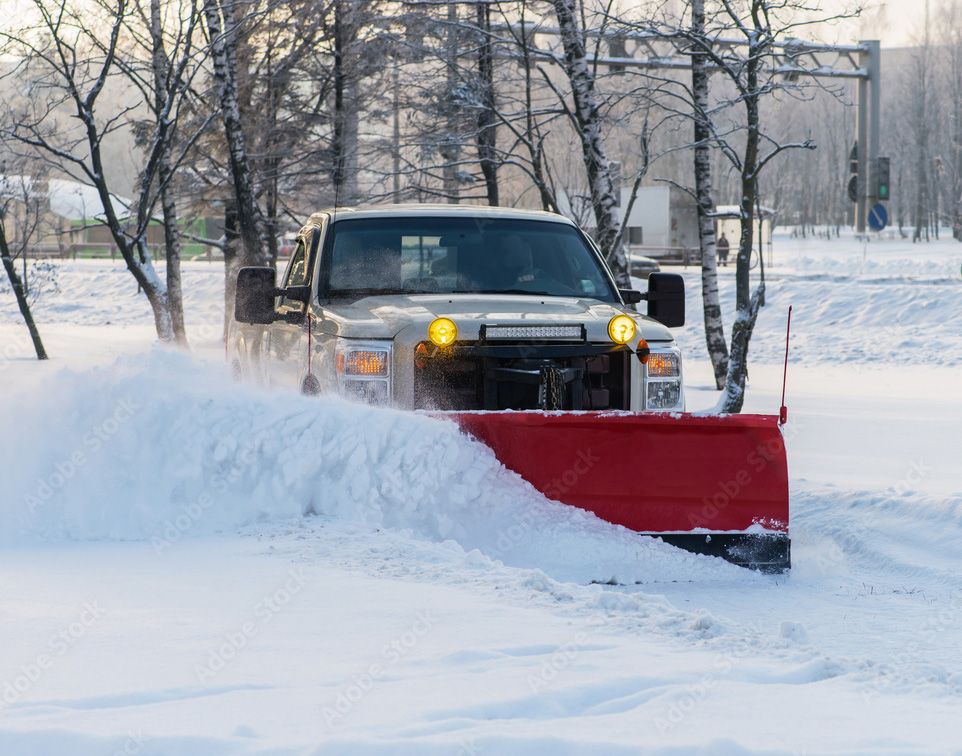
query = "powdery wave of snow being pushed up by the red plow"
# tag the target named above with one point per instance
(158, 447)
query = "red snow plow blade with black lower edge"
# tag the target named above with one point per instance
(710, 484)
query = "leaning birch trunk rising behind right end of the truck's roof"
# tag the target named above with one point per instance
(587, 115)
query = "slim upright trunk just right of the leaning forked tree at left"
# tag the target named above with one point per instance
(175, 297)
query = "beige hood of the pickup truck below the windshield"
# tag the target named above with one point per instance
(385, 317)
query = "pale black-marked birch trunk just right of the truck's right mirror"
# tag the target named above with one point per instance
(714, 327)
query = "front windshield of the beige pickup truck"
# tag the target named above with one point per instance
(420, 255)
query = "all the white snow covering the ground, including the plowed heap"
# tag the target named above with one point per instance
(190, 566)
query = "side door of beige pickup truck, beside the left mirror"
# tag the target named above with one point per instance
(288, 345)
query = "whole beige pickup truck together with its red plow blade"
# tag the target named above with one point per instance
(510, 322)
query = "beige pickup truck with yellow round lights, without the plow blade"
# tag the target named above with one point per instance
(458, 308)
